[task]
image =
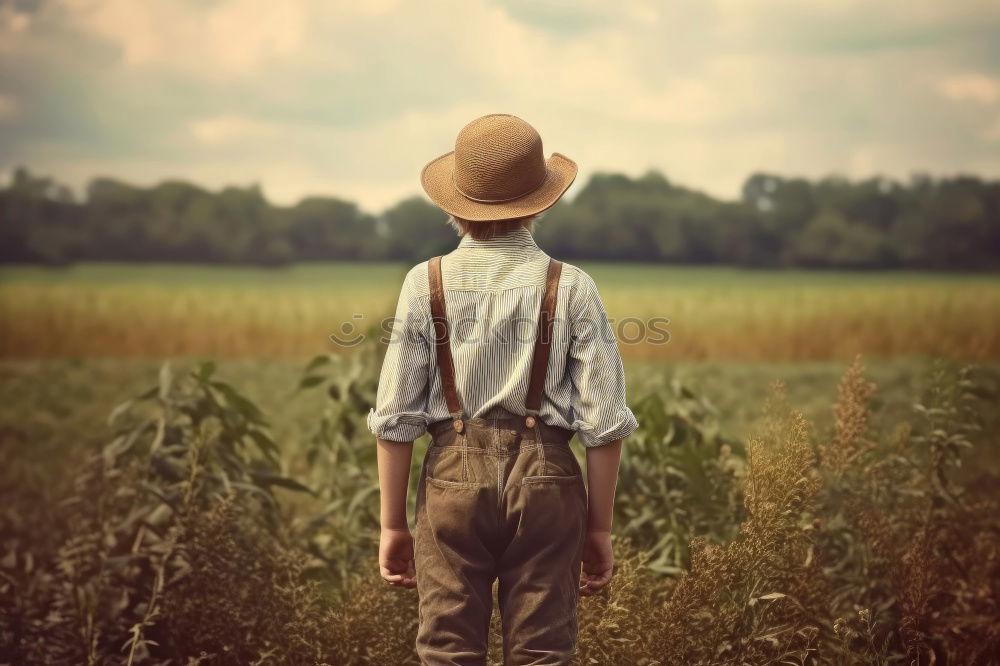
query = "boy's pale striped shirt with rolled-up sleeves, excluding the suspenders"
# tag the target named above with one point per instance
(493, 290)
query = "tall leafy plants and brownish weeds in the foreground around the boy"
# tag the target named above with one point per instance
(186, 540)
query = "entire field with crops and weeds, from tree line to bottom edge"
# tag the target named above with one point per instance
(186, 476)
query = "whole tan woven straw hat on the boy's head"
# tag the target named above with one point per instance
(497, 172)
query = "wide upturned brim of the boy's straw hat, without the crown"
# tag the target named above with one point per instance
(437, 180)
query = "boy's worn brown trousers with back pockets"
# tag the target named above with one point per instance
(495, 502)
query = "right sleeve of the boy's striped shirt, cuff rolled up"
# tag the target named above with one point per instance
(600, 412)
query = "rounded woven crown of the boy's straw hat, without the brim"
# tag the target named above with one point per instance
(498, 158)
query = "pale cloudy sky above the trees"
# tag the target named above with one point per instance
(351, 98)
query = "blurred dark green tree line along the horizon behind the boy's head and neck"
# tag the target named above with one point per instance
(930, 223)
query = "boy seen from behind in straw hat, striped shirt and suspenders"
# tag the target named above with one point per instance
(502, 354)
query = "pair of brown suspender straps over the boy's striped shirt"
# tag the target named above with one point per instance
(539, 360)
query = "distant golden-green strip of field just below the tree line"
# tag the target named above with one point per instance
(109, 310)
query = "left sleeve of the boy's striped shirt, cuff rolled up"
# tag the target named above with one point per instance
(400, 412)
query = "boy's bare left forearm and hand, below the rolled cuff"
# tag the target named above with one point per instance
(395, 543)
